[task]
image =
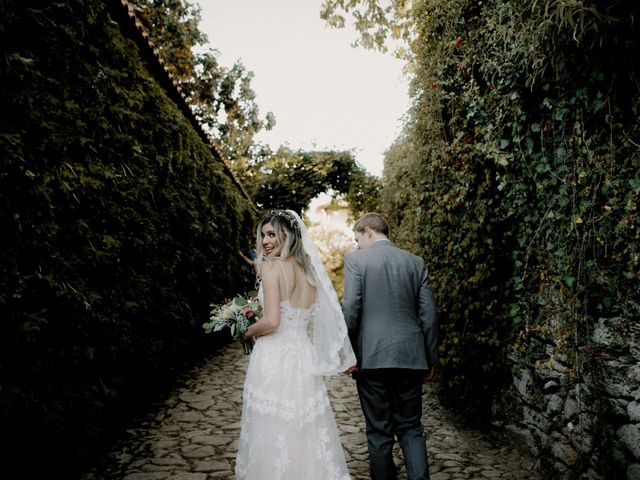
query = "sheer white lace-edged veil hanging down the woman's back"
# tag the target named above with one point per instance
(331, 346)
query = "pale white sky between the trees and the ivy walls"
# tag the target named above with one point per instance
(324, 93)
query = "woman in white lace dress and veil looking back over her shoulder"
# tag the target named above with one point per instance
(288, 430)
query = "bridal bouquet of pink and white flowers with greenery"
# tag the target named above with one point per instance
(237, 315)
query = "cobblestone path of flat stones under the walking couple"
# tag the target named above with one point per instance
(193, 434)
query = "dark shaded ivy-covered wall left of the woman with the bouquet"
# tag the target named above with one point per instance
(119, 228)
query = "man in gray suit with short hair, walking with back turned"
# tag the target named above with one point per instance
(391, 315)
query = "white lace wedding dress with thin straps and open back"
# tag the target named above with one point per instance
(288, 429)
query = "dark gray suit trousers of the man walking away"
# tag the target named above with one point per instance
(391, 400)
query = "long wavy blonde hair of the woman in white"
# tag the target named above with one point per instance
(288, 235)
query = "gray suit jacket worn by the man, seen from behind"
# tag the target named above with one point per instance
(389, 308)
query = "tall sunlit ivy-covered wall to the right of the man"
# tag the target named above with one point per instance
(517, 180)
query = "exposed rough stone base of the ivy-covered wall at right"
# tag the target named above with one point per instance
(582, 414)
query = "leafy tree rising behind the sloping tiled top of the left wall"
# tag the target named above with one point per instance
(222, 99)
